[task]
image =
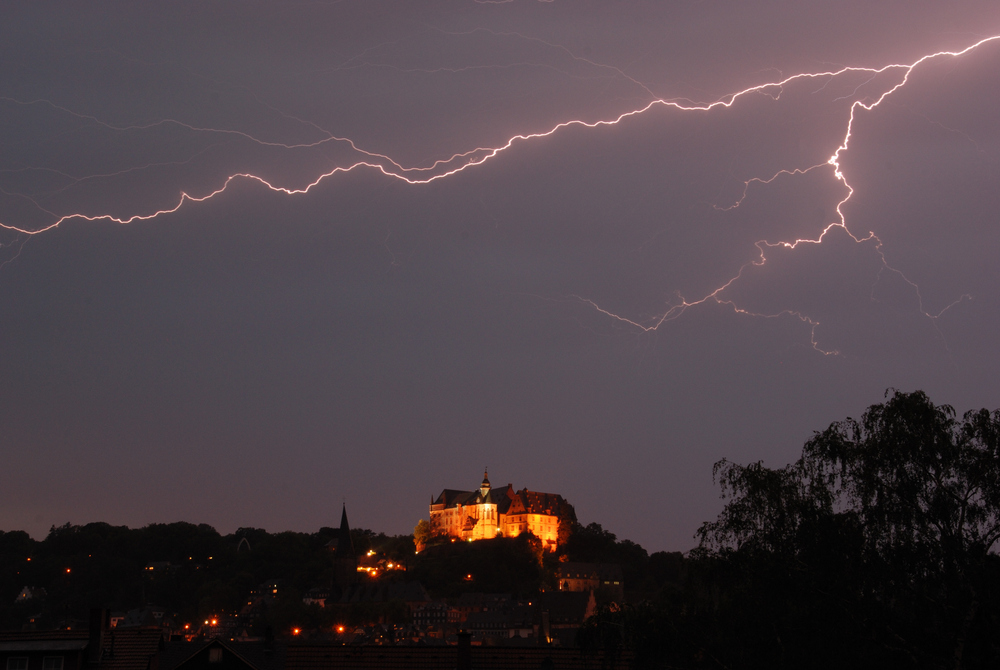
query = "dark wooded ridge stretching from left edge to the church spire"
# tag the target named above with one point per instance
(209, 574)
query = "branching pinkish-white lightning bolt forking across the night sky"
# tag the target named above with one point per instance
(444, 168)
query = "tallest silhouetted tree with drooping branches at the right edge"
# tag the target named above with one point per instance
(926, 490)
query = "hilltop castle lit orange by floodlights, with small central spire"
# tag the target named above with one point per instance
(487, 513)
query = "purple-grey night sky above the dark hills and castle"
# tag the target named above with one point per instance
(433, 306)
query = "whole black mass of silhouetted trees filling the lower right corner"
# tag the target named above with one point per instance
(876, 549)
